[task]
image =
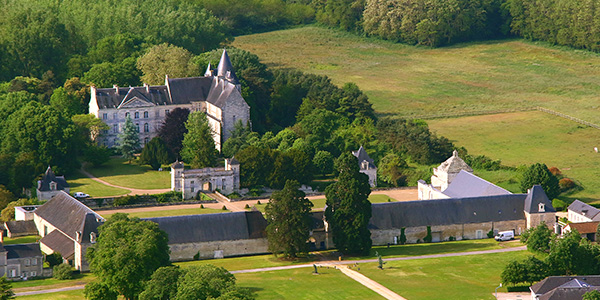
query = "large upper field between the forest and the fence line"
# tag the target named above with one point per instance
(415, 81)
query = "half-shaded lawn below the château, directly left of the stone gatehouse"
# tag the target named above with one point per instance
(119, 171)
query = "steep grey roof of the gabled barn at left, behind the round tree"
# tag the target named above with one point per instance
(66, 214)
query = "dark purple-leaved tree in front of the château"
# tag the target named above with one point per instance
(173, 129)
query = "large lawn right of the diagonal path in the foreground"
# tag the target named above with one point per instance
(460, 277)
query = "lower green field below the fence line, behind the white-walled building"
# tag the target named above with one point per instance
(528, 137)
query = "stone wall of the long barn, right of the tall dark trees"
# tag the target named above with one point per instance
(444, 232)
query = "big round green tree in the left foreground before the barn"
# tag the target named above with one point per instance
(127, 252)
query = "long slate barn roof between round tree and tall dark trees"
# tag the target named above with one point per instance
(212, 227)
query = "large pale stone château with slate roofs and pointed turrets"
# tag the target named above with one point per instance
(217, 93)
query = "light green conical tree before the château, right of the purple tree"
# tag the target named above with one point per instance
(198, 145)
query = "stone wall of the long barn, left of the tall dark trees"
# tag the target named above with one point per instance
(184, 252)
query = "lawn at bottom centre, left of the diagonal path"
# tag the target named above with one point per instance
(302, 284)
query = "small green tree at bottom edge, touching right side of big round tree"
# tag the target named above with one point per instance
(162, 284)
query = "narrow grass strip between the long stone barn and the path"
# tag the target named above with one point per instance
(264, 261)
